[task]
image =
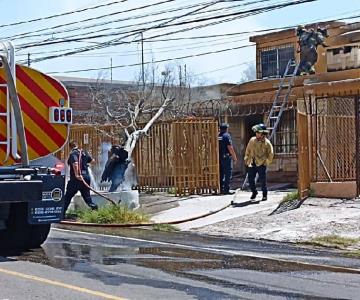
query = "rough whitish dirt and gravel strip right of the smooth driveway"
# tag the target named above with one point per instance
(317, 217)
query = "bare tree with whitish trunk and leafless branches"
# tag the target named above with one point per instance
(135, 107)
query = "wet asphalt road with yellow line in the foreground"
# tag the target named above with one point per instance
(143, 264)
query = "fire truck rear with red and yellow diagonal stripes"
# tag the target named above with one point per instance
(35, 116)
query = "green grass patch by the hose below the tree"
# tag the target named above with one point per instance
(110, 214)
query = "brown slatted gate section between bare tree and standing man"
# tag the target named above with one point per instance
(180, 155)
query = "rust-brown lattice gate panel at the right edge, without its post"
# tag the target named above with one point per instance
(334, 131)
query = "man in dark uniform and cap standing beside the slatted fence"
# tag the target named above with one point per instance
(226, 157)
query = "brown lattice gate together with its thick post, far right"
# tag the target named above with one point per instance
(327, 141)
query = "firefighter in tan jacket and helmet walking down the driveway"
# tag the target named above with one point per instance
(259, 154)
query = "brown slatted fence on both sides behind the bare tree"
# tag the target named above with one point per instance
(178, 156)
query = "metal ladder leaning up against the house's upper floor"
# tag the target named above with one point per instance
(281, 99)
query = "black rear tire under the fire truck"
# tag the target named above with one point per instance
(19, 234)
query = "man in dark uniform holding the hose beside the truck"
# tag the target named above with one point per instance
(78, 174)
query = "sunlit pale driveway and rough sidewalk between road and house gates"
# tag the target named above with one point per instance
(317, 217)
